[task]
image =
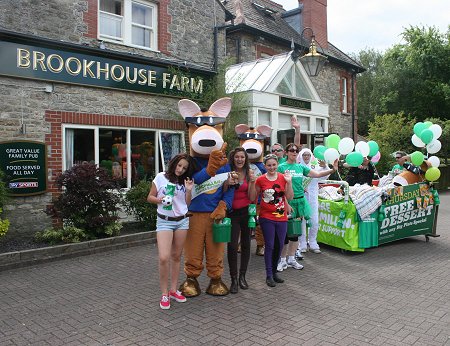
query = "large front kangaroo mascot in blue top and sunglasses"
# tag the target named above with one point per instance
(209, 201)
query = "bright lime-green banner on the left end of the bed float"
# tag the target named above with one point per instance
(338, 225)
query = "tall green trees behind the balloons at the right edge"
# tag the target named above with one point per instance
(412, 78)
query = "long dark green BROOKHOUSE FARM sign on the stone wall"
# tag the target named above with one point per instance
(73, 67)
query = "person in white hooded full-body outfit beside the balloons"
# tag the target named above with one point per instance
(311, 186)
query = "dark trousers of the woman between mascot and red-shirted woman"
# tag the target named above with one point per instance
(239, 226)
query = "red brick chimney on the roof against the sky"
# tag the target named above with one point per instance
(315, 17)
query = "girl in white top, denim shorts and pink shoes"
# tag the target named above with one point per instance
(172, 222)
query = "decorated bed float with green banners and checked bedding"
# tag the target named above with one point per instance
(365, 217)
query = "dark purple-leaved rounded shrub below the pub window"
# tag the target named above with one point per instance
(87, 201)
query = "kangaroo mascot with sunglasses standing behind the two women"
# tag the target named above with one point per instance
(252, 140)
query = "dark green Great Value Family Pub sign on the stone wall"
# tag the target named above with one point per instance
(25, 166)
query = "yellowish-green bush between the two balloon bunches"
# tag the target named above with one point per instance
(392, 132)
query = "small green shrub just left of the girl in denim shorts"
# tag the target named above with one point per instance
(136, 203)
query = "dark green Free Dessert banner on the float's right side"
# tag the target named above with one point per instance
(409, 212)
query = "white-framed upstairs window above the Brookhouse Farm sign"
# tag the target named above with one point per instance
(127, 25)
